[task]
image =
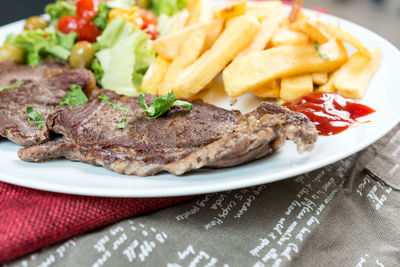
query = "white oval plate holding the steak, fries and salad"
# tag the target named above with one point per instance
(84, 179)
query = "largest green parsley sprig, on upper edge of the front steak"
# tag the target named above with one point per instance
(162, 104)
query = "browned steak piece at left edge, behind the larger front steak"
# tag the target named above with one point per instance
(42, 88)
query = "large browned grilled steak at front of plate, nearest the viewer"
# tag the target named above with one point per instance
(179, 141)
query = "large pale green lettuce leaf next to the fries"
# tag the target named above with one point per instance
(128, 54)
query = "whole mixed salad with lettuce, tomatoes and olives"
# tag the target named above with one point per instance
(111, 38)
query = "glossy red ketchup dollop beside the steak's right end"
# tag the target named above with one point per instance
(331, 113)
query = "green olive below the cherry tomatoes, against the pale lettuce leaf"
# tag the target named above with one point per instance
(82, 55)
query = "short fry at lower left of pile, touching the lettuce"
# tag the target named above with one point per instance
(154, 76)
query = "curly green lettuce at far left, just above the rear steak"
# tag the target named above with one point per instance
(40, 44)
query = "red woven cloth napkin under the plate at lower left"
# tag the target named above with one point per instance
(32, 219)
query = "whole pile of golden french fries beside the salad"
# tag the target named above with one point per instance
(258, 49)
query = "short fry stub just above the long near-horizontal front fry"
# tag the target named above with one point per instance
(284, 36)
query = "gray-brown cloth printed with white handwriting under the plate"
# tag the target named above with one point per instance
(340, 215)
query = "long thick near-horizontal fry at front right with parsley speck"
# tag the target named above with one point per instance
(252, 71)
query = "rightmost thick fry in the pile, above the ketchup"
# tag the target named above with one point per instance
(354, 77)
